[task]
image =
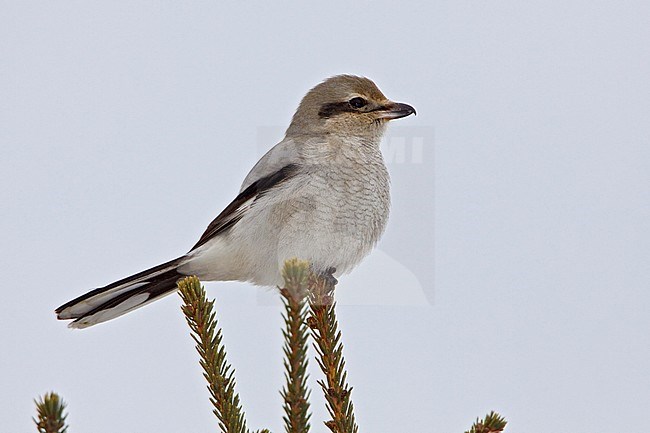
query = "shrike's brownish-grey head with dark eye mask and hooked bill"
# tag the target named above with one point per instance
(346, 105)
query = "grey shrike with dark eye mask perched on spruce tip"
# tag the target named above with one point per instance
(321, 195)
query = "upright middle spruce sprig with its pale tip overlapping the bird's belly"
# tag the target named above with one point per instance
(295, 393)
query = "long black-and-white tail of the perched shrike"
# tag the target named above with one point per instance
(106, 303)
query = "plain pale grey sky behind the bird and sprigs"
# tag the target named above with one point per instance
(514, 273)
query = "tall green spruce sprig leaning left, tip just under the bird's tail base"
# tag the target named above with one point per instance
(200, 316)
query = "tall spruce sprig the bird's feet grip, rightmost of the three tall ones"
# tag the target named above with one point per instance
(322, 321)
